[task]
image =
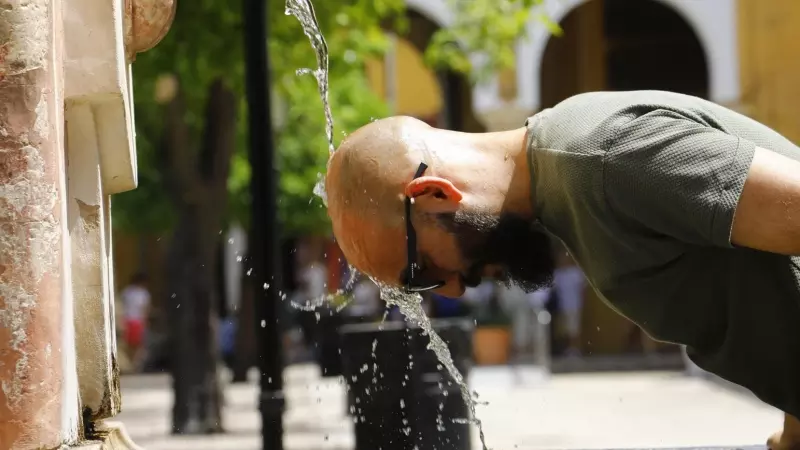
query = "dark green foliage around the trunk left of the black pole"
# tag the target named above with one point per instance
(204, 43)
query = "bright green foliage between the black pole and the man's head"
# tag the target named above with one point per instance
(353, 32)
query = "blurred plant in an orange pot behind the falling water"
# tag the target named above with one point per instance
(492, 336)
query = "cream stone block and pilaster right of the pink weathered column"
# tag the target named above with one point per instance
(101, 40)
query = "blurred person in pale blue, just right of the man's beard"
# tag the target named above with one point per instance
(569, 284)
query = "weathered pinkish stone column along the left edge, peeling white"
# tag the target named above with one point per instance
(38, 395)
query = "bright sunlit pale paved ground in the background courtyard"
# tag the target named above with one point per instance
(525, 411)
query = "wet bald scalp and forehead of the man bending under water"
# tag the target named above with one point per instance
(365, 186)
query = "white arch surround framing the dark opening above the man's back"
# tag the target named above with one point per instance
(713, 22)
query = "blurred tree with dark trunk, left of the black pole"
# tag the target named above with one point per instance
(187, 150)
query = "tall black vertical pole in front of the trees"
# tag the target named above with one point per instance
(264, 234)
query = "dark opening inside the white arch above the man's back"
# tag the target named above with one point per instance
(623, 45)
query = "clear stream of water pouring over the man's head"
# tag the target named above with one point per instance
(409, 304)
